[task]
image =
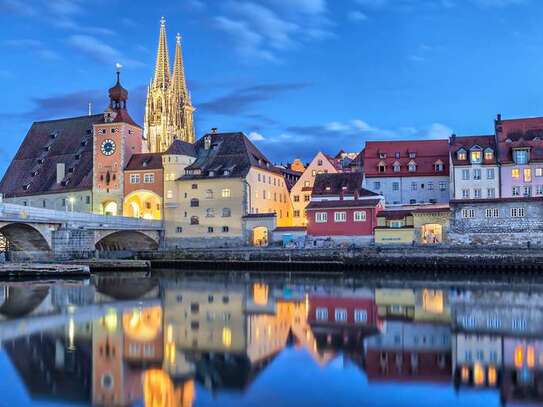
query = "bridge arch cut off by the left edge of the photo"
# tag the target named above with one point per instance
(27, 238)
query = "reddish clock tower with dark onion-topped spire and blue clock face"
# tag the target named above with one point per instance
(116, 139)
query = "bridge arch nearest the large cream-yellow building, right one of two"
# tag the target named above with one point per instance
(127, 240)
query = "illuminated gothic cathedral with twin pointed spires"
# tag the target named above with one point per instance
(169, 111)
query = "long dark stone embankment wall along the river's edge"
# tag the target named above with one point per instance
(429, 260)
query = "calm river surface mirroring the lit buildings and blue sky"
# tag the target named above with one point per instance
(189, 342)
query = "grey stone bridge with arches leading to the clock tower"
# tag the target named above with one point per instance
(36, 231)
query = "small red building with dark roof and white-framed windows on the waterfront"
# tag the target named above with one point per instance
(340, 207)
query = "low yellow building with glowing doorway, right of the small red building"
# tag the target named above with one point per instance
(415, 224)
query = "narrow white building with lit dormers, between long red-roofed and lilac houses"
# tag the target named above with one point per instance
(475, 173)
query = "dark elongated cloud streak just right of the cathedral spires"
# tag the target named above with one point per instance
(241, 100)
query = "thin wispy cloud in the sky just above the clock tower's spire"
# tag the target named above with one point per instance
(100, 51)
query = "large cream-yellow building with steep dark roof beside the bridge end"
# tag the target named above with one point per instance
(218, 194)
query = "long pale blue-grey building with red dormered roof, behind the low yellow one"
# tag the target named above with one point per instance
(408, 172)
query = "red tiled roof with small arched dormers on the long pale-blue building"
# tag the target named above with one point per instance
(427, 153)
